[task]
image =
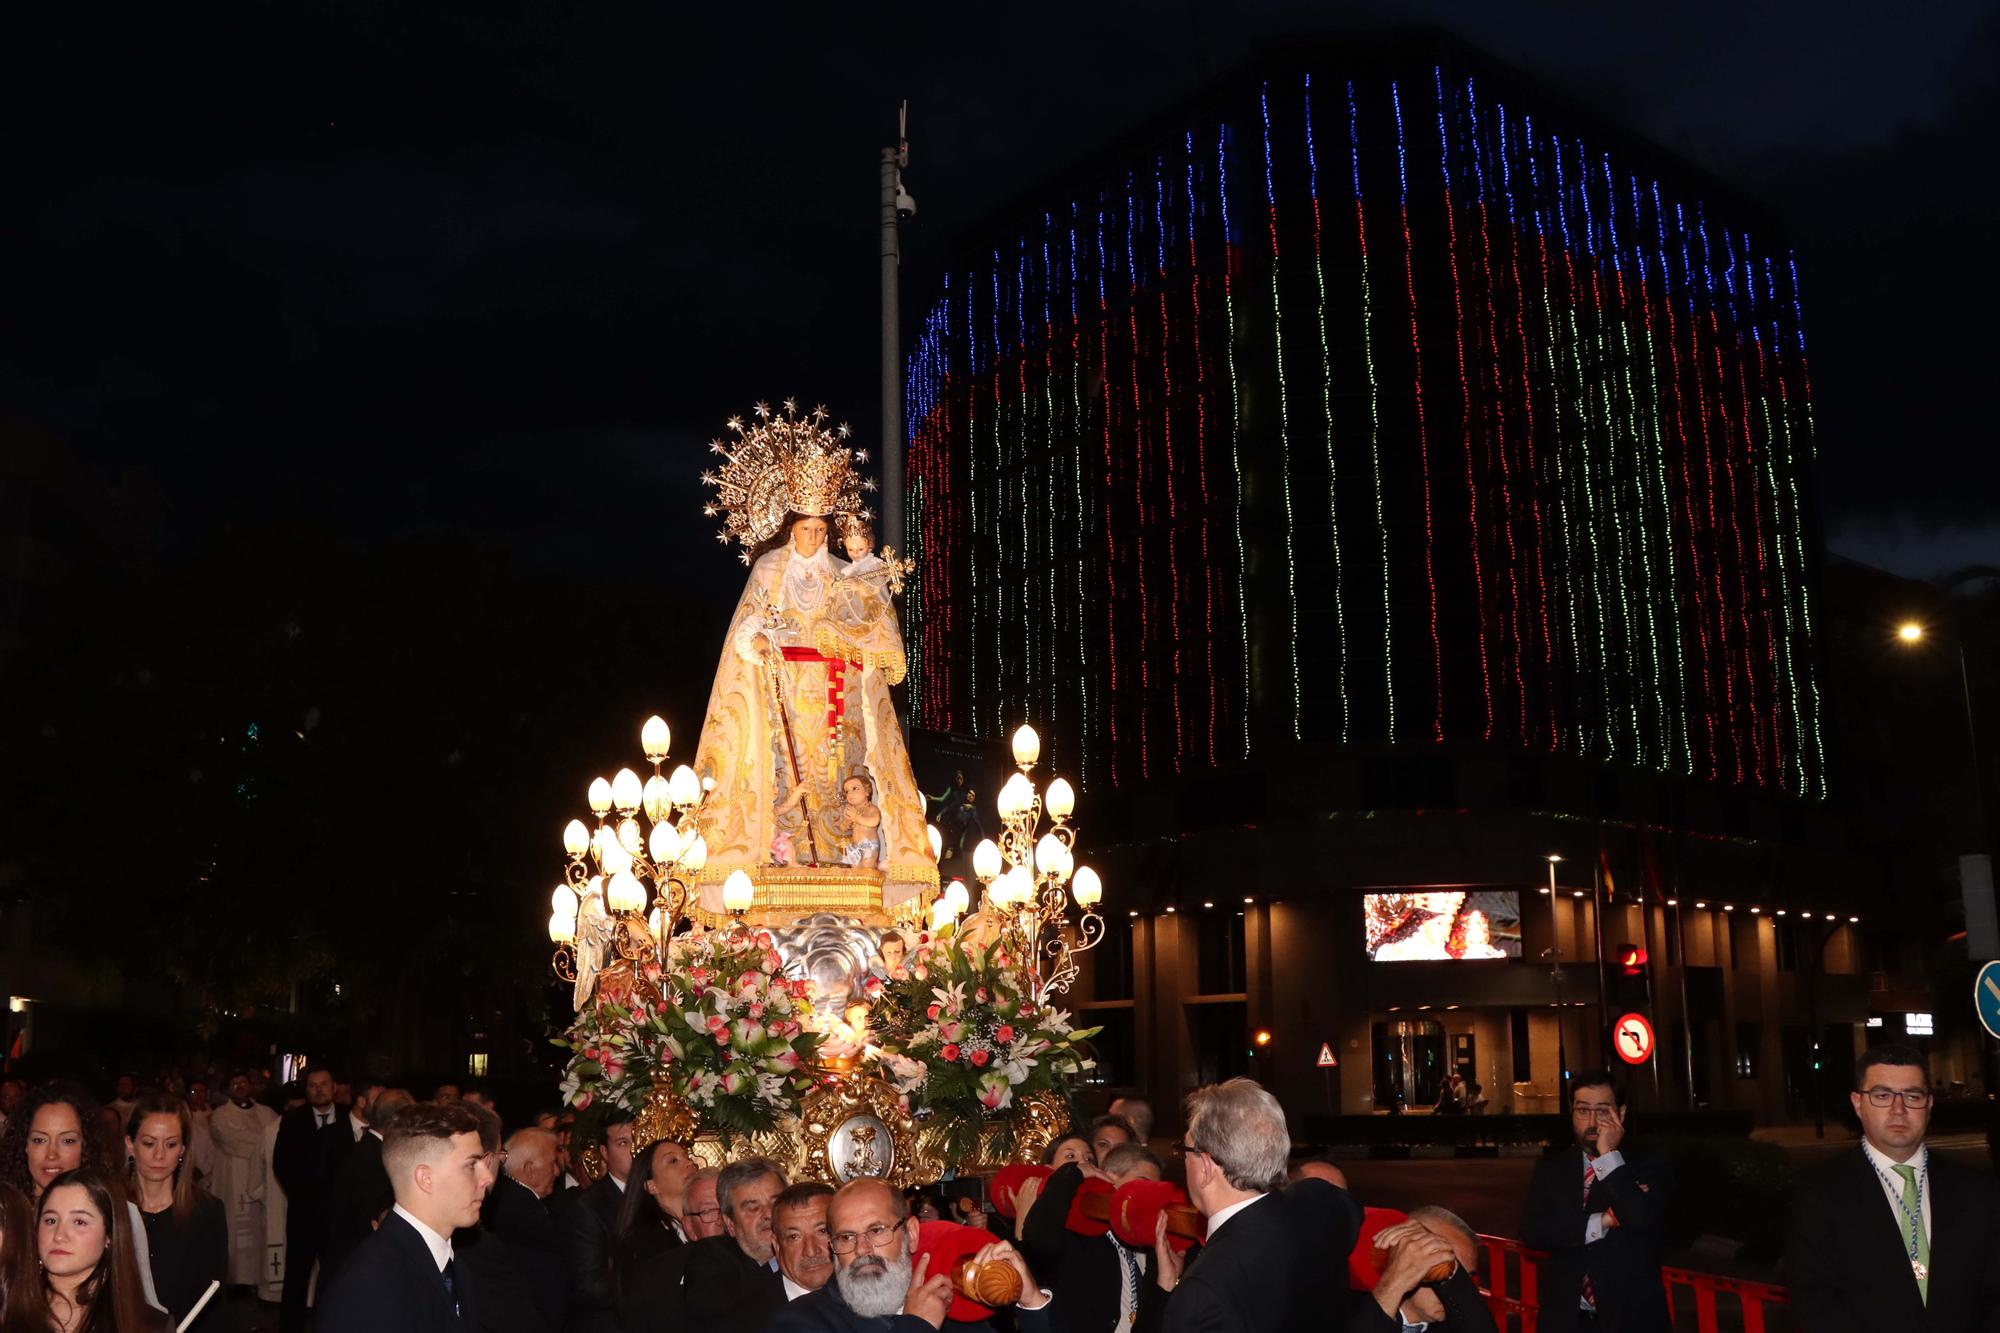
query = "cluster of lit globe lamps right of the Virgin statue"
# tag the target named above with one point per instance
(1031, 874)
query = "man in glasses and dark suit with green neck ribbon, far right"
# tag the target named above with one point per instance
(1893, 1236)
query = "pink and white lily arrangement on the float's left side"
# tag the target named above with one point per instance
(721, 1028)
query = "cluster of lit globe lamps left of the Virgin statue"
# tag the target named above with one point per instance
(631, 880)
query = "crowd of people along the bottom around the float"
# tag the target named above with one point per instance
(403, 1216)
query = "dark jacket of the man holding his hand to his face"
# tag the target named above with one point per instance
(1625, 1266)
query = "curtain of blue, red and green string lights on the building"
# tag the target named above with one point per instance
(1373, 411)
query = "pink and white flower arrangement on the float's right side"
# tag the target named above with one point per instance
(965, 1036)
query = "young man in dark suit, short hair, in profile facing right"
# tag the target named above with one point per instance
(405, 1278)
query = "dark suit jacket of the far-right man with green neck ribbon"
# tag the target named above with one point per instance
(1849, 1264)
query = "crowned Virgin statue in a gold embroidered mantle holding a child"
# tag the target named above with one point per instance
(801, 736)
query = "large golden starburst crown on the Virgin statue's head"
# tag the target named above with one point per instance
(783, 465)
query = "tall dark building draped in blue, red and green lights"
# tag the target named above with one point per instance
(1371, 479)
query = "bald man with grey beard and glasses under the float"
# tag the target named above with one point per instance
(879, 1286)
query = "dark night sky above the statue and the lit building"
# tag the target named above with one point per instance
(497, 271)
